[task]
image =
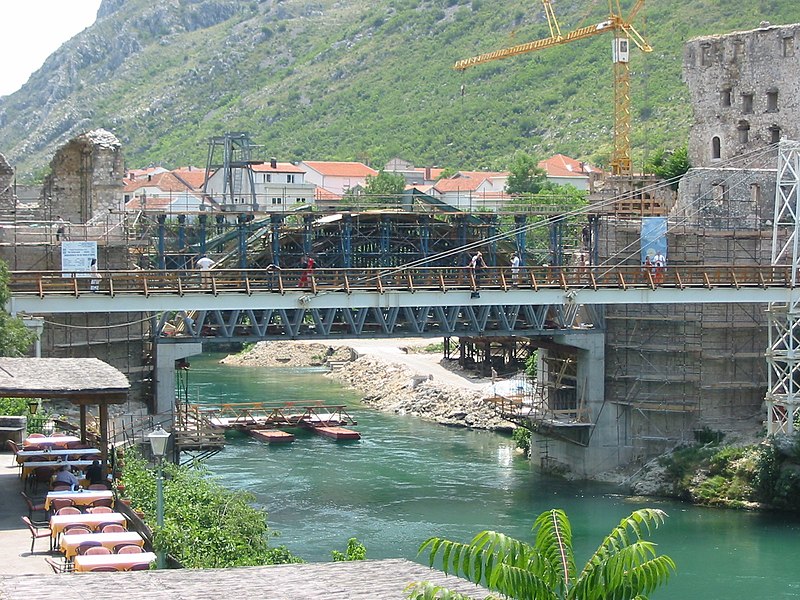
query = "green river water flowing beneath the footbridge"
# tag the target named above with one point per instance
(406, 480)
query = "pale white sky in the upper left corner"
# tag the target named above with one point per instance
(33, 30)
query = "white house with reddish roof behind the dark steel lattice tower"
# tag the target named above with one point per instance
(270, 186)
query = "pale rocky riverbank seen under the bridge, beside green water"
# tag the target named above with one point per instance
(385, 382)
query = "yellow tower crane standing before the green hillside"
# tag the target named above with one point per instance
(623, 33)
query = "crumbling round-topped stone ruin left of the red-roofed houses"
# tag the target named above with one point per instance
(85, 182)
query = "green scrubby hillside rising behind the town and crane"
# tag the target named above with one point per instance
(360, 80)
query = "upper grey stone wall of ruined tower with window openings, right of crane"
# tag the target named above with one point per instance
(745, 91)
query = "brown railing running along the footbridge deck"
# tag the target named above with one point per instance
(442, 279)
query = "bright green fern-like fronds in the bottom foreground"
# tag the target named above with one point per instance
(624, 567)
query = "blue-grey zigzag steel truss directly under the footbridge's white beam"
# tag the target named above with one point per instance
(314, 323)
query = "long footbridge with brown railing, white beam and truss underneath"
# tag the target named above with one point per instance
(248, 305)
